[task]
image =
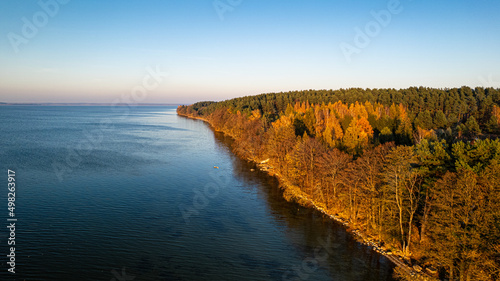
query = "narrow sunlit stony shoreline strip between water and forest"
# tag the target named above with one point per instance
(396, 259)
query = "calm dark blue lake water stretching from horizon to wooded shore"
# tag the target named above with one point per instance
(132, 194)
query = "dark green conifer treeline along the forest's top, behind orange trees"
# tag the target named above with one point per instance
(429, 107)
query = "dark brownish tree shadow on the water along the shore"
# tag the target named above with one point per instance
(322, 242)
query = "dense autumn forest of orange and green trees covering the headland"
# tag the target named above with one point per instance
(417, 168)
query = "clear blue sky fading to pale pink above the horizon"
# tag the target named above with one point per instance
(98, 51)
